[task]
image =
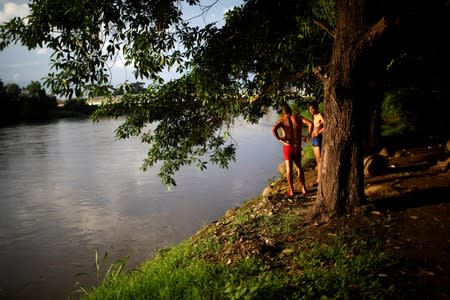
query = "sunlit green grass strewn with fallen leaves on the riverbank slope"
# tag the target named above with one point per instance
(345, 264)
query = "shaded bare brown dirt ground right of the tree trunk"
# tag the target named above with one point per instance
(413, 201)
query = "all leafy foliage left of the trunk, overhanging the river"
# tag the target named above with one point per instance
(260, 54)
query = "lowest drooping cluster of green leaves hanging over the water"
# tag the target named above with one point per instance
(184, 129)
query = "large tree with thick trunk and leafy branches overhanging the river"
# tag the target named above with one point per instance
(267, 52)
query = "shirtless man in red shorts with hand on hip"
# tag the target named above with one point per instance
(292, 144)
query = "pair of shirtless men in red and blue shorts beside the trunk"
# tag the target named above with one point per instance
(291, 126)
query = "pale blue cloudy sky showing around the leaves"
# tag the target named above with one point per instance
(21, 66)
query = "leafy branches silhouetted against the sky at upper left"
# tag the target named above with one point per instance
(86, 37)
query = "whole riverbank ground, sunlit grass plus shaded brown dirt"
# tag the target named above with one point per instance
(267, 248)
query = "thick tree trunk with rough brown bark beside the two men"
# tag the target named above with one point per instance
(342, 178)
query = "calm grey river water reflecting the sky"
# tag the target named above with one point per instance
(68, 188)
